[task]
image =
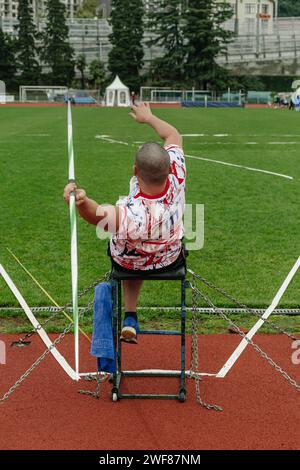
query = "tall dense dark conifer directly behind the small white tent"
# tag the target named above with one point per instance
(126, 57)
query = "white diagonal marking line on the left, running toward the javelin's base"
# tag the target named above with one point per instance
(42, 333)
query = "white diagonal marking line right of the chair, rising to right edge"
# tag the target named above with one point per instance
(244, 343)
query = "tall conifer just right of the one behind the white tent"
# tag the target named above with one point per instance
(165, 24)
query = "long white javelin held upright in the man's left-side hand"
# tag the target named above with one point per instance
(74, 260)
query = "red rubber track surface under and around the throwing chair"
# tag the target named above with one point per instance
(261, 410)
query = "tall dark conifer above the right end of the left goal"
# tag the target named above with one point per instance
(57, 53)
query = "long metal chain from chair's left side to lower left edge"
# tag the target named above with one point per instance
(53, 345)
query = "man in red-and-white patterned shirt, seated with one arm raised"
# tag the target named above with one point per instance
(147, 225)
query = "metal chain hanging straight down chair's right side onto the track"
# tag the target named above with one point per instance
(194, 367)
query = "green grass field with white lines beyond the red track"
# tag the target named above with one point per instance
(252, 221)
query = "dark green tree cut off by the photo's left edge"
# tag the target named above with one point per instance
(8, 67)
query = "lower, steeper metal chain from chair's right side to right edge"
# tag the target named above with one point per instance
(284, 374)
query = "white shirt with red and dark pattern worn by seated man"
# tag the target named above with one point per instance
(151, 227)
